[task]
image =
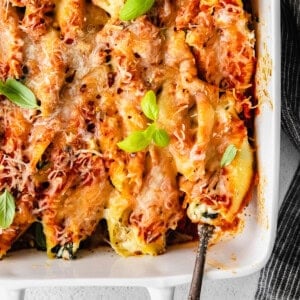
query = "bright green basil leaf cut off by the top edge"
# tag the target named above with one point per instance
(135, 8)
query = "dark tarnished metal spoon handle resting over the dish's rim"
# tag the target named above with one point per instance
(205, 232)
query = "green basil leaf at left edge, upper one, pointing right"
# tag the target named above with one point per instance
(18, 93)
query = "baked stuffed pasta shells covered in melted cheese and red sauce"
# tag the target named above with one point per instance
(89, 71)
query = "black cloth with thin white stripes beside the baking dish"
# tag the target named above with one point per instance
(280, 279)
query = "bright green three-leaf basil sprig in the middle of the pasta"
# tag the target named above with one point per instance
(139, 140)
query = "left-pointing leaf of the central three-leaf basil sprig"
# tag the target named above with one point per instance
(136, 141)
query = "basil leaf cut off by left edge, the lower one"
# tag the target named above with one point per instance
(7, 209)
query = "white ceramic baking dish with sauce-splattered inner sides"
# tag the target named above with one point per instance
(244, 254)
